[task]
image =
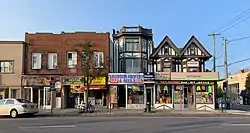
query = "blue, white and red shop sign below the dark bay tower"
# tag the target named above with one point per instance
(126, 78)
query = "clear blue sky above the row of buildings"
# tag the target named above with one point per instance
(179, 19)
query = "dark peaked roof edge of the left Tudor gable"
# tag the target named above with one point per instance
(172, 45)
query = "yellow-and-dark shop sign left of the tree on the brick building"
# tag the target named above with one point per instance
(74, 80)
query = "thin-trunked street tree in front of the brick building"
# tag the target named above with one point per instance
(92, 65)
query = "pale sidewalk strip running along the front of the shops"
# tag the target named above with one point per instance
(139, 112)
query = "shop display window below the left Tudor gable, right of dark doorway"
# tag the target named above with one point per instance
(164, 94)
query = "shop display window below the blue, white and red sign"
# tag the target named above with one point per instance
(135, 94)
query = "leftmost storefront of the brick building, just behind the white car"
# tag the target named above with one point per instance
(37, 89)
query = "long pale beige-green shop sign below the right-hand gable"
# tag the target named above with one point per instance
(195, 76)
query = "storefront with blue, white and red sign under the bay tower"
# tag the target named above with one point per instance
(135, 91)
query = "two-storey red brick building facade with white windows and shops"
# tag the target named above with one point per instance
(50, 57)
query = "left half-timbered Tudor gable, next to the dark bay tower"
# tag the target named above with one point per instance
(166, 56)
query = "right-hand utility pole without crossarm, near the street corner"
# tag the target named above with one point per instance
(226, 65)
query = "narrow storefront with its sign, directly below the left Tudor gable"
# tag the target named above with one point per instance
(163, 91)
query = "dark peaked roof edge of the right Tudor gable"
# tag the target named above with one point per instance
(194, 40)
